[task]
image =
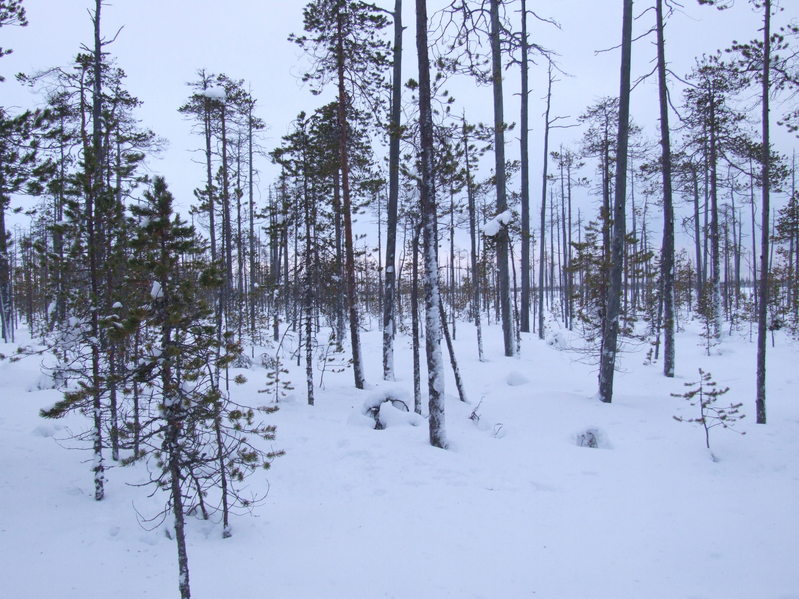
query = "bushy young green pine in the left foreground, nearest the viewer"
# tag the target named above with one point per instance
(199, 443)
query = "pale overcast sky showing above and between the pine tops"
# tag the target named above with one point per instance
(163, 43)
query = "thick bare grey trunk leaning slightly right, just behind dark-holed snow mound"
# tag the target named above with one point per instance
(611, 329)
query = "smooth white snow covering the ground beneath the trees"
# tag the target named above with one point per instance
(514, 509)
